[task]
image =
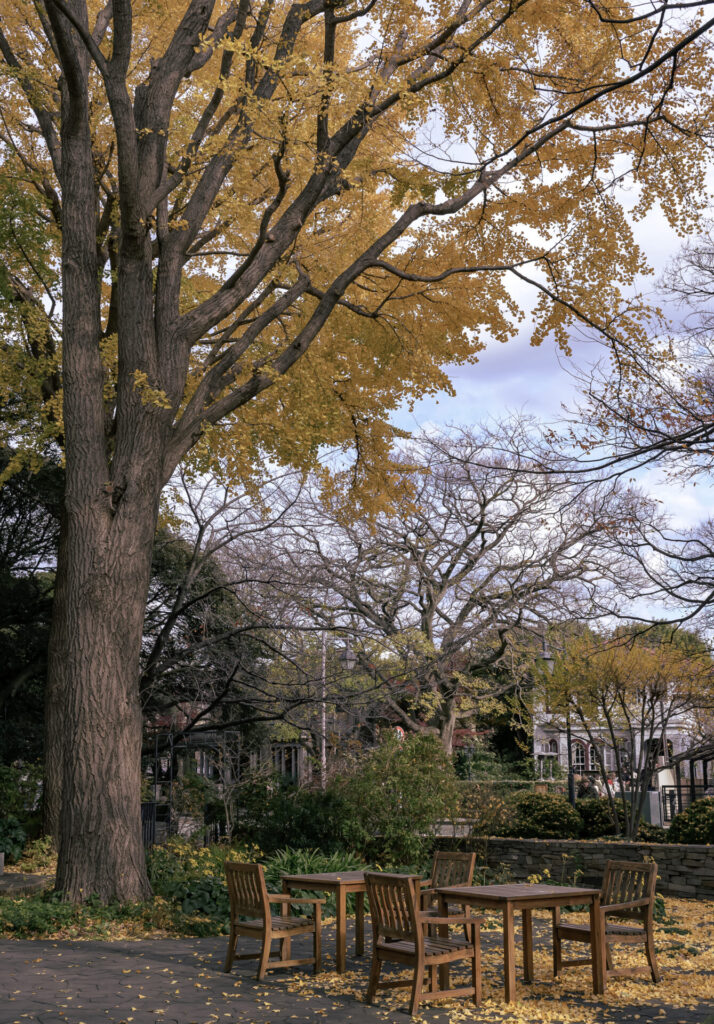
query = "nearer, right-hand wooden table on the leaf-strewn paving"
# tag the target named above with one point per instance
(527, 899)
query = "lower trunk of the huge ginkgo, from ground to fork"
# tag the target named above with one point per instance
(106, 577)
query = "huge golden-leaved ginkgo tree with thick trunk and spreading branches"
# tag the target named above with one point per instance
(264, 226)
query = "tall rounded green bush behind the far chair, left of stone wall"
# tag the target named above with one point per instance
(397, 795)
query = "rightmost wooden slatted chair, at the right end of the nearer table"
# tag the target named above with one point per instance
(628, 895)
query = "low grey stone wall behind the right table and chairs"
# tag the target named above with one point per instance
(684, 871)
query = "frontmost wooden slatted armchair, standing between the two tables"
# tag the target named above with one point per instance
(399, 931)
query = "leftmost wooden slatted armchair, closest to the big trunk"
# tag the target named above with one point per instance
(250, 900)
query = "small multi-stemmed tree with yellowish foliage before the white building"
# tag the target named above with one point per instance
(629, 695)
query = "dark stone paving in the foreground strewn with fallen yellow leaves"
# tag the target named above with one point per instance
(181, 982)
